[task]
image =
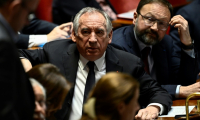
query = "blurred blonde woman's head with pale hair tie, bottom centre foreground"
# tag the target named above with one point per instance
(115, 97)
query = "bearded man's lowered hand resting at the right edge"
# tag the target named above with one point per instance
(187, 90)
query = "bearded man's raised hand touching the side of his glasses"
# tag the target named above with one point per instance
(183, 29)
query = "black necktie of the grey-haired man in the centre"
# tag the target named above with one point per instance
(90, 80)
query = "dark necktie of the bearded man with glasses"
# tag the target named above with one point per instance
(145, 53)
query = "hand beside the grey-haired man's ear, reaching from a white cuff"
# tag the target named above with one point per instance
(60, 32)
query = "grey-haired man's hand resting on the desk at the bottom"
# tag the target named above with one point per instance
(148, 113)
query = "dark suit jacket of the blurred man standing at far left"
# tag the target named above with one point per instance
(17, 99)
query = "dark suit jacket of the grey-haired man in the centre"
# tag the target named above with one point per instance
(66, 57)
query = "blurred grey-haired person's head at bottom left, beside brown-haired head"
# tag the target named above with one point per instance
(40, 98)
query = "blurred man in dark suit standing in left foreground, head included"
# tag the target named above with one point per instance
(17, 98)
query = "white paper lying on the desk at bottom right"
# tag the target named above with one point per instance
(177, 110)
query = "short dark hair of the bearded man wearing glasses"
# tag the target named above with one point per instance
(164, 2)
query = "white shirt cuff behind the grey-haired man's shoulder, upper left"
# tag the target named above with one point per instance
(36, 40)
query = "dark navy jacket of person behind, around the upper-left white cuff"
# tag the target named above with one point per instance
(36, 26)
